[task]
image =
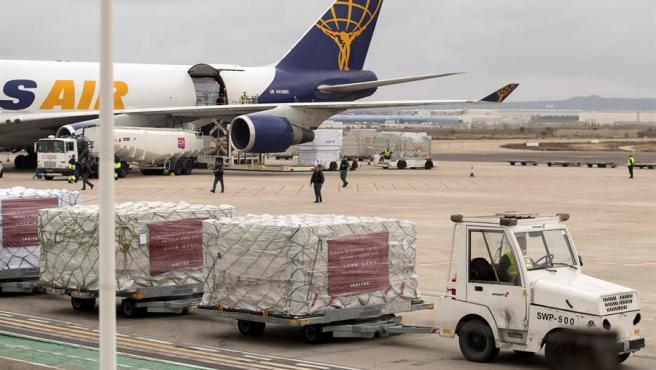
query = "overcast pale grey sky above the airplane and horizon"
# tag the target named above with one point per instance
(555, 49)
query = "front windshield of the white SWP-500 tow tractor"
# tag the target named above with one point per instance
(546, 249)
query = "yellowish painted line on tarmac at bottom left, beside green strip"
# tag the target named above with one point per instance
(147, 344)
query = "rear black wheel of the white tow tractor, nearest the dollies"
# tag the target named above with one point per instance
(477, 341)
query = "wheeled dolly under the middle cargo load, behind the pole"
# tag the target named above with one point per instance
(138, 301)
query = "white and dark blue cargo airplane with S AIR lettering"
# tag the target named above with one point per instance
(270, 108)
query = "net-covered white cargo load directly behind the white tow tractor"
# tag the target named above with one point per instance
(305, 265)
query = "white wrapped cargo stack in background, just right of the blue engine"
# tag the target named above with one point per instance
(326, 148)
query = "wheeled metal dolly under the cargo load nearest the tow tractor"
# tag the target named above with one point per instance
(360, 322)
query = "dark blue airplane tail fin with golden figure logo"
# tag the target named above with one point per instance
(337, 41)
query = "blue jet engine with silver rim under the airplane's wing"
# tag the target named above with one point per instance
(266, 134)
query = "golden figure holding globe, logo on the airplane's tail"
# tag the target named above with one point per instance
(345, 22)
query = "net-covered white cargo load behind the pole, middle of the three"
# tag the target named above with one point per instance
(157, 244)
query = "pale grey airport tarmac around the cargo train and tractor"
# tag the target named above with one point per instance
(612, 223)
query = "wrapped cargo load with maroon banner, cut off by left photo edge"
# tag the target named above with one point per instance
(19, 207)
